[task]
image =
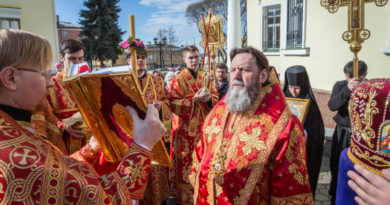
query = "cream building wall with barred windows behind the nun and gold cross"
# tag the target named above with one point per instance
(302, 32)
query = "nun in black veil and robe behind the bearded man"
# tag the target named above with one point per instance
(314, 125)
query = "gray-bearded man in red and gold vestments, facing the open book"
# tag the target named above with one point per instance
(252, 149)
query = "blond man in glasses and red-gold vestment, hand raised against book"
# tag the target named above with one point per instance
(34, 171)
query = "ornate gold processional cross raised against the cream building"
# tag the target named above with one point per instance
(356, 33)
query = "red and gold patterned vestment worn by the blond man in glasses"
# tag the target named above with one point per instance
(33, 171)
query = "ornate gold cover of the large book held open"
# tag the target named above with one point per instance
(101, 99)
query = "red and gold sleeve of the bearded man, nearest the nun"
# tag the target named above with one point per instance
(289, 180)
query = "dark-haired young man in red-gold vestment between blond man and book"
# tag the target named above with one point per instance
(61, 123)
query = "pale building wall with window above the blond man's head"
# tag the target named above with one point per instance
(36, 16)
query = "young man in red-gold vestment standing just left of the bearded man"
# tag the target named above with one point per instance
(191, 107)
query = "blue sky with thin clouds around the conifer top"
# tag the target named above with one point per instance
(150, 16)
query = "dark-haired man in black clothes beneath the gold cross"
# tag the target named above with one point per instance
(339, 101)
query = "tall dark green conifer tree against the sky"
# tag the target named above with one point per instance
(101, 33)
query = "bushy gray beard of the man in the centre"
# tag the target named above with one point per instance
(238, 100)
